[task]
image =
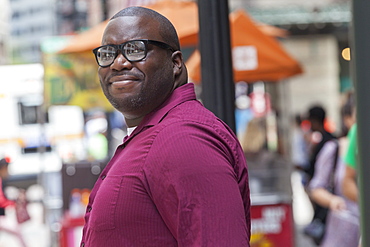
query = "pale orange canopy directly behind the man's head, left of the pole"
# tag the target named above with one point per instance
(182, 14)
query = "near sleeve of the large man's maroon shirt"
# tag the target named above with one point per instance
(196, 190)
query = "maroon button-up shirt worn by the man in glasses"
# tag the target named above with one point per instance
(180, 179)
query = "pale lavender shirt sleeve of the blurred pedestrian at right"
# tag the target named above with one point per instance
(323, 166)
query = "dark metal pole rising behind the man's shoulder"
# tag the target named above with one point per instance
(218, 89)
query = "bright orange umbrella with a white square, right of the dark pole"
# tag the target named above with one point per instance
(256, 56)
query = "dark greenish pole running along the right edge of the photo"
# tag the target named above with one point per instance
(360, 38)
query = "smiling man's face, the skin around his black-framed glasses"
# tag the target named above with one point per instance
(136, 88)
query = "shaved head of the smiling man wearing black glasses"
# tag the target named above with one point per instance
(137, 87)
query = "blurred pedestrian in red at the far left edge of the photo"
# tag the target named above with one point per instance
(5, 202)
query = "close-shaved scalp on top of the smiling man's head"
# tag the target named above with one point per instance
(166, 30)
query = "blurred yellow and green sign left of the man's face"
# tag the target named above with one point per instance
(71, 79)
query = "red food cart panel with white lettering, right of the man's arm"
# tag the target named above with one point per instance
(272, 225)
